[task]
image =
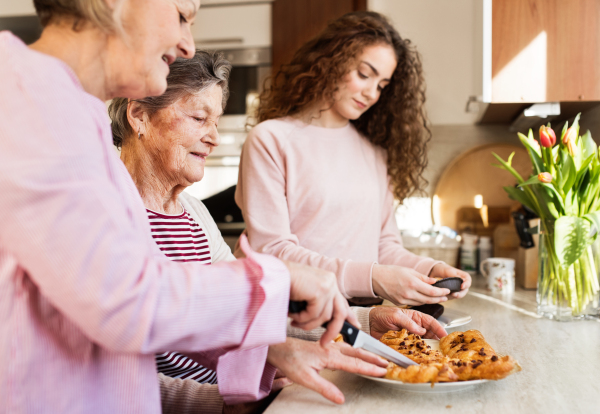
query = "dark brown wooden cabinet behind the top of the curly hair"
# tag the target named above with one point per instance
(297, 21)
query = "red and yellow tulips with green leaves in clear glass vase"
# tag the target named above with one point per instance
(564, 192)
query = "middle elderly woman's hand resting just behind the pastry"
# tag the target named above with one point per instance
(391, 318)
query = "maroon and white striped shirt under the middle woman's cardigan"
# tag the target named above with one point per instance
(181, 239)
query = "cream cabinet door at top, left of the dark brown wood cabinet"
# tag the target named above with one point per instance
(232, 27)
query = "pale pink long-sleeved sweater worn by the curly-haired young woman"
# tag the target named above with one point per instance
(321, 196)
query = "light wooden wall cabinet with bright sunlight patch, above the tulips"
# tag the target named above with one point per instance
(542, 50)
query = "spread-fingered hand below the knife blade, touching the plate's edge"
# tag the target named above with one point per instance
(301, 362)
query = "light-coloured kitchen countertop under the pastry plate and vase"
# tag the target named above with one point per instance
(560, 361)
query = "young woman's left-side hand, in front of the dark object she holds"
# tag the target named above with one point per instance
(405, 286)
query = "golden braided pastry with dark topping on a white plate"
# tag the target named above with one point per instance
(458, 361)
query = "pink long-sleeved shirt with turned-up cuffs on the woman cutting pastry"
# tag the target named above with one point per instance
(86, 297)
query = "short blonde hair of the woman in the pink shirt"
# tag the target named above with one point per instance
(97, 12)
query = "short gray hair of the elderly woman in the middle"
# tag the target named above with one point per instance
(186, 77)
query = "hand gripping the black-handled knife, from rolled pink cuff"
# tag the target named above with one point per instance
(325, 302)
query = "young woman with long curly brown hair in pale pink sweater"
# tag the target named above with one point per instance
(342, 133)
